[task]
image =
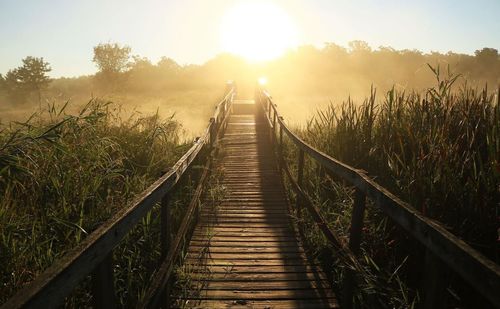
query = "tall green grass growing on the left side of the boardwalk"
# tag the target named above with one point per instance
(62, 175)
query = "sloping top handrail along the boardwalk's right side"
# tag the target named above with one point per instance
(482, 273)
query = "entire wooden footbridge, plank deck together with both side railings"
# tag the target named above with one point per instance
(245, 251)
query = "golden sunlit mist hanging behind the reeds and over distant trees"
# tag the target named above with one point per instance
(302, 81)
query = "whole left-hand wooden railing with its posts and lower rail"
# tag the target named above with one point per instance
(94, 255)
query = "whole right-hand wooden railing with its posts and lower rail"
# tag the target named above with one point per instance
(443, 249)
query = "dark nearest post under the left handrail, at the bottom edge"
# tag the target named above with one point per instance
(103, 289)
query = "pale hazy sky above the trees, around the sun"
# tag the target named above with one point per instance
(65, 31)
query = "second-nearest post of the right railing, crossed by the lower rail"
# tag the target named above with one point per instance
(354, 243)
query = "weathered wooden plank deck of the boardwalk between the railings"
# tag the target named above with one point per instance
(245, 252)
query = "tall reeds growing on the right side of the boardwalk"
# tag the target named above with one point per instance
(439, 150)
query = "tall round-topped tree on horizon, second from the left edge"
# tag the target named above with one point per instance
(112, 60)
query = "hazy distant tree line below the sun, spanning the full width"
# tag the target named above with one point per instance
(306, 68)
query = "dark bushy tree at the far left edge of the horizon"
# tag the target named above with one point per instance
(27, 79)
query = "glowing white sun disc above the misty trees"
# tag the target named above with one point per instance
(257, 31)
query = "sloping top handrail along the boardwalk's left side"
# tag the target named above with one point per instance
(51, 287)
